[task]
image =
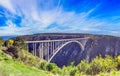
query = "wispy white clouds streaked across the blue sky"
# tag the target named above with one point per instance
(36, 20)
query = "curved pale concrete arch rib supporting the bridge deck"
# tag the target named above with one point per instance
(58, 49)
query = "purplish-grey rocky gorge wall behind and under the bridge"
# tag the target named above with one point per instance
(96, 45)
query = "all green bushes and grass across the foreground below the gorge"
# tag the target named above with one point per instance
(15, 60)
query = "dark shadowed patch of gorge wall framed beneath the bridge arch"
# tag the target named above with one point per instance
(70, 53)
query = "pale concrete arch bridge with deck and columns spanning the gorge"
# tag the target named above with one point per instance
(47, 49)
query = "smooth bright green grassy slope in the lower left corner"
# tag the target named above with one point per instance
(8, 67)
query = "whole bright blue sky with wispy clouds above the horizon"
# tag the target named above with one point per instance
(21, 17)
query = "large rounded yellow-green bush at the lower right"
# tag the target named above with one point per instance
(103, 64)
